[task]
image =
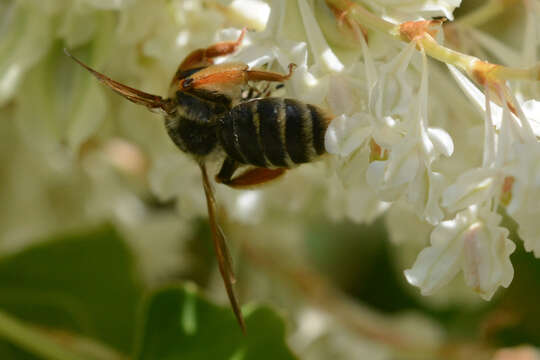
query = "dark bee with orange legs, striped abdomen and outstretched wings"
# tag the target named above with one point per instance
(258, 137)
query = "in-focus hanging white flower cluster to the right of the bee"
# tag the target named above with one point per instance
(405, 138)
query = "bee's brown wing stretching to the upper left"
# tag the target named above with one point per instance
(153, 102)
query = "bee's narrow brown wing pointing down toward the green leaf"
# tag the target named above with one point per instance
(220, 247)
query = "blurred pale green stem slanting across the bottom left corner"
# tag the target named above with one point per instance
(33, 341)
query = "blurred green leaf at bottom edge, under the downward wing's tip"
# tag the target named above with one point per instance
(179, 324)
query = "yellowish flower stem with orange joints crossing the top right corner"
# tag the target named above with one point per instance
(357, 13)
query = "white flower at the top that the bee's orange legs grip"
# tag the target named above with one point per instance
(315, 60)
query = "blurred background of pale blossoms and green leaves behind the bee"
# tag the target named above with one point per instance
(105, 248)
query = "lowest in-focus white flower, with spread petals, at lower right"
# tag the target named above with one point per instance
(473, 243)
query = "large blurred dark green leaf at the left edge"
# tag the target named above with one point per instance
(83, 284)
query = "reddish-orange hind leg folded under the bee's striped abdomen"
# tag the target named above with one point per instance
(249, 178)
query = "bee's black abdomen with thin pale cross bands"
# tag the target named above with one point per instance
(273, 132)
